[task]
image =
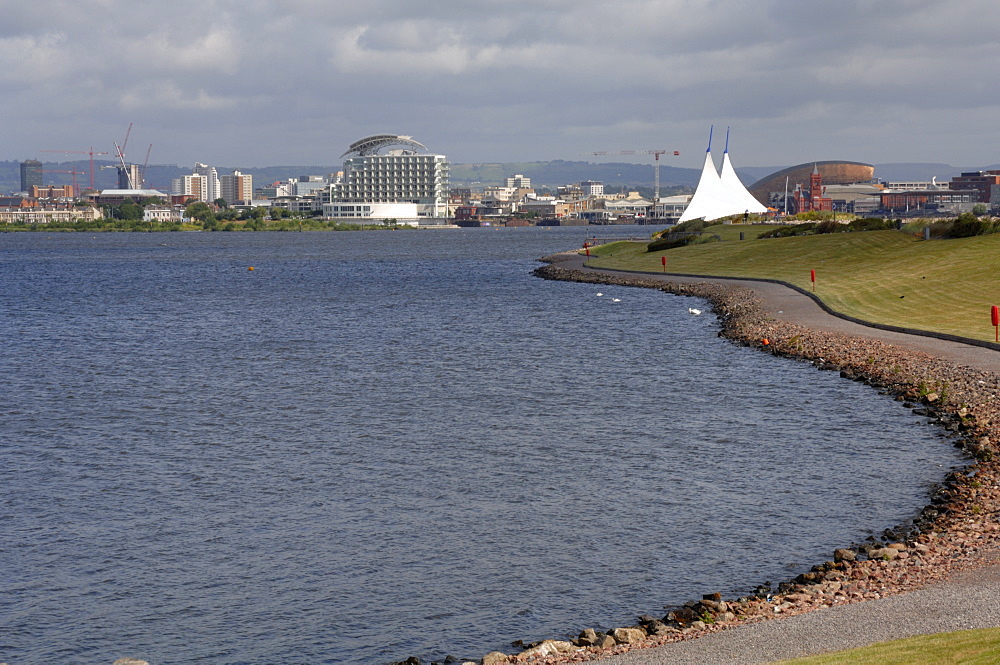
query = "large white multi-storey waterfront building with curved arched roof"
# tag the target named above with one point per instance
(403, 175)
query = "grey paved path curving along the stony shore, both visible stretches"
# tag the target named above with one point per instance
(966, 600)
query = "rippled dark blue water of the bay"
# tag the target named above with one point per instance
(384, 444)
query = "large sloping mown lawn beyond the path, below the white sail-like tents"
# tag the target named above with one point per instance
(879, 276)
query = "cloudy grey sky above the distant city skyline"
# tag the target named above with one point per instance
(247, 83)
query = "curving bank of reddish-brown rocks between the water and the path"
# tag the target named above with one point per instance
(951, 533)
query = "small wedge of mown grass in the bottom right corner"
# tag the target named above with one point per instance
(967, 647)
